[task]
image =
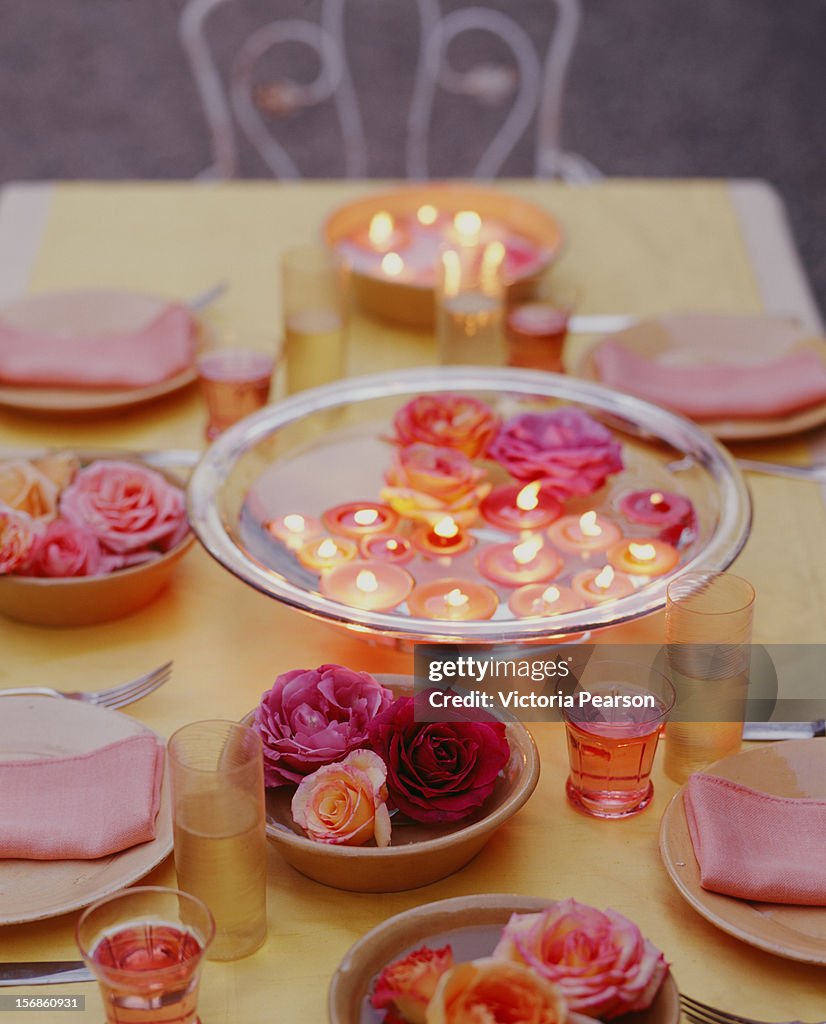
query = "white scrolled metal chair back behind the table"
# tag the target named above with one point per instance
(534, 84)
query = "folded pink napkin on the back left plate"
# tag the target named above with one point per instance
(161, 350)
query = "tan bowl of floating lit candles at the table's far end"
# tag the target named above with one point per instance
(393, 240)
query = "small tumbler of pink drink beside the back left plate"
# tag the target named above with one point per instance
(235, 371)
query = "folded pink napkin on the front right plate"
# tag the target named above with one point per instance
(756, 846)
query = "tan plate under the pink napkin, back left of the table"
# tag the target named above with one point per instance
(86, 313)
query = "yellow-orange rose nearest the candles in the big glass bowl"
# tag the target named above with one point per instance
(429, 483)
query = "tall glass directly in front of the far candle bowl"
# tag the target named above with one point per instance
(470, 306)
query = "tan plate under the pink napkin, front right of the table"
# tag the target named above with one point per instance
(794, 769)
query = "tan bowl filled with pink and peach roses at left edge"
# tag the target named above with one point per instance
(86, 540)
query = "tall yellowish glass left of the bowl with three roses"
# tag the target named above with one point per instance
(220, 830)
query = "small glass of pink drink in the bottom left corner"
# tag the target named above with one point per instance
(146, 947)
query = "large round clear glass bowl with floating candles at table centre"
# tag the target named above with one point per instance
(333, 446)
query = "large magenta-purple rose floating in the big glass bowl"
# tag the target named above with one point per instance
(569, 451)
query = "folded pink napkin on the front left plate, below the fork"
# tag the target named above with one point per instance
(81, 807)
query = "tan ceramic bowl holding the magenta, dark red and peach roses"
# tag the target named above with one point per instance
(419, 854)
